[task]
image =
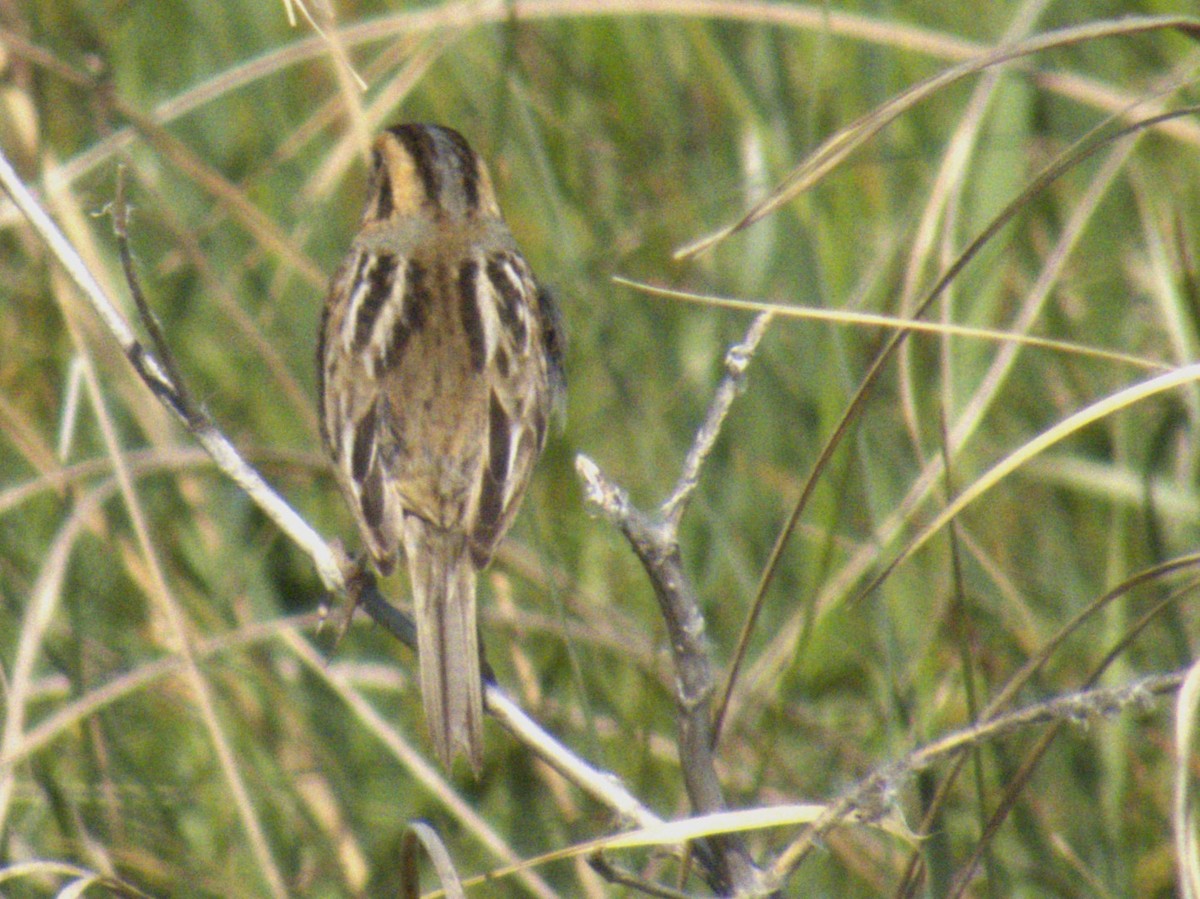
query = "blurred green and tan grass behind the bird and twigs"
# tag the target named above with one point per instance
(615, 140)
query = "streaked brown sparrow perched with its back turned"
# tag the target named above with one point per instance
(440, 364)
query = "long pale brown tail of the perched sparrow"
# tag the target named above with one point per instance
(443, 580)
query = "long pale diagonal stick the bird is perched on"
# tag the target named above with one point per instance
(331, 565)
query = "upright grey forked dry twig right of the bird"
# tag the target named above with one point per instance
(656, 541)
